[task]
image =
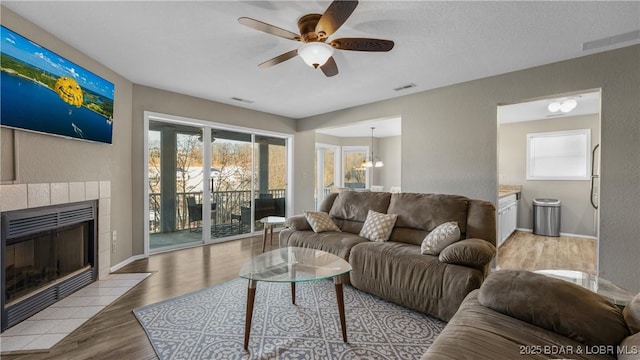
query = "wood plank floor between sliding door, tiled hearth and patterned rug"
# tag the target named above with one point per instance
(116, 334)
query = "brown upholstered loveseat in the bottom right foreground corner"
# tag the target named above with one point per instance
(523, 315)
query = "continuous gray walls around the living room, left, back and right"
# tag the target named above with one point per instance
(449, 142)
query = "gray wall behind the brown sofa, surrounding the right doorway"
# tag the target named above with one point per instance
(449, 140)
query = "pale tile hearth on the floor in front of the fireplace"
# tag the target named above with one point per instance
(46, 328)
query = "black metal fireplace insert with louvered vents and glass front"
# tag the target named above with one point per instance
(47, 254)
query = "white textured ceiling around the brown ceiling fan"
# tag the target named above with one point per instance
(199, 48)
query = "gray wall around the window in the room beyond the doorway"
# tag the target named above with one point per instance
(578, 216)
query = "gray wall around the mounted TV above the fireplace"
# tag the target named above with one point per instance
(45, 158)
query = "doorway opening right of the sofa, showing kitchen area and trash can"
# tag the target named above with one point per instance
(548, 176)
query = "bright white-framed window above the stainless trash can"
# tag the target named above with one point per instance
(559, 155)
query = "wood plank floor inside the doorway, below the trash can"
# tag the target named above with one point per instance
(524, 250)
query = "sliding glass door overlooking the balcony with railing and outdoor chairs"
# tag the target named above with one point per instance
(209, 184)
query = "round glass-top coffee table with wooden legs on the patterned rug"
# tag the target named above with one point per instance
(292, 265)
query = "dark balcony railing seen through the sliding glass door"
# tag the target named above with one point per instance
(227, 203)
